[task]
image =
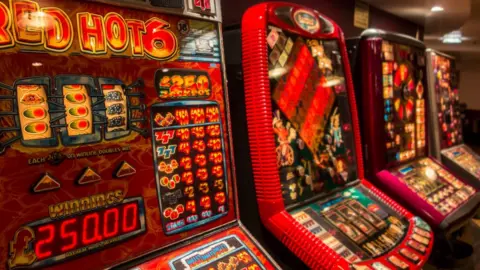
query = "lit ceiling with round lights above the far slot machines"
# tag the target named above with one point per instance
(463, 15)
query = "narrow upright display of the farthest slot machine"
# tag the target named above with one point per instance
(447, 100)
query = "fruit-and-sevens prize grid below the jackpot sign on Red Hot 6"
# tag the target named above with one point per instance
(190, 163)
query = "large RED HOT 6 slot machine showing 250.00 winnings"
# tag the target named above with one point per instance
(114, 138)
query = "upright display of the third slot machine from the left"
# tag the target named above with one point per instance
(403, 70)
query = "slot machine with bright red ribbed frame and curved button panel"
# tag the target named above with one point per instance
(306, 150)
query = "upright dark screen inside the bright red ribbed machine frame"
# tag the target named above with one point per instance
(311, 115)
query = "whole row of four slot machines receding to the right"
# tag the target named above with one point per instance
(116, 139)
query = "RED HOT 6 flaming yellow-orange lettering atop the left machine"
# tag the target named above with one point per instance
(50, 28)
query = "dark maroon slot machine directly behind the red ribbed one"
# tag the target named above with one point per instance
(397, 153)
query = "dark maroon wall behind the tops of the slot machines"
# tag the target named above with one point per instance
(341, 11)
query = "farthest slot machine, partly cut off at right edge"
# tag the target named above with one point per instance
(446, 135)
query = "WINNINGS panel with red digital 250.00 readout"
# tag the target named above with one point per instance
(76, 227)
